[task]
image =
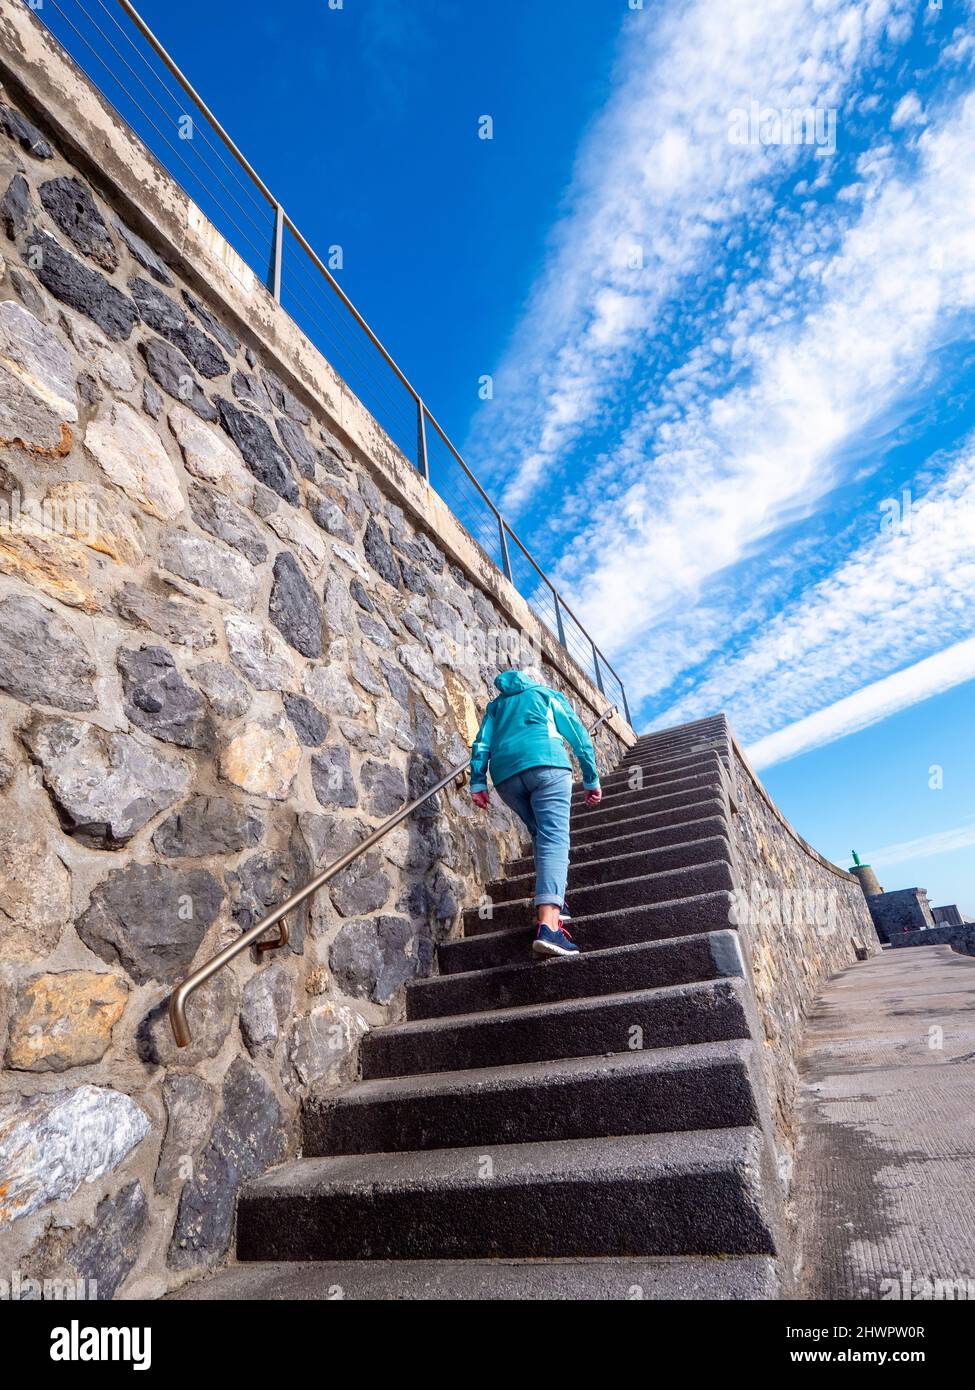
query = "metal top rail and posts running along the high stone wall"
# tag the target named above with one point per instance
(425, 416)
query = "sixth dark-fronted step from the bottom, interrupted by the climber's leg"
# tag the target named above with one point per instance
(710, 876)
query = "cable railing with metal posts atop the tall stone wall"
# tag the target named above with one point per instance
(118, 51)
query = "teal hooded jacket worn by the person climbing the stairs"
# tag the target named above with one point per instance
(524, 728)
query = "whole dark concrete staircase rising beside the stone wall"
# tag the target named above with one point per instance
(589, 1128)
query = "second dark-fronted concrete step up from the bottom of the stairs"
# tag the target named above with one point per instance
(660, 1090)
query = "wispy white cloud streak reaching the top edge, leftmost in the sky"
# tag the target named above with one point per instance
(660, 173)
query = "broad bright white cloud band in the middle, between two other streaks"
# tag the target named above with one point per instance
(732, 468)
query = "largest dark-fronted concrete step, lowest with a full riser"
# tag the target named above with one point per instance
(650, 1195)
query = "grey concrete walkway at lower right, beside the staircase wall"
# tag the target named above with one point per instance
(885, 1181)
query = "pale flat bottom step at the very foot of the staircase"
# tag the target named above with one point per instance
(663, 1278)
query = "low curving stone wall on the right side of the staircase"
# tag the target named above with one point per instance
(800, 919)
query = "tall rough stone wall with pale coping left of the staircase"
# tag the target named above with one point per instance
(237, 632)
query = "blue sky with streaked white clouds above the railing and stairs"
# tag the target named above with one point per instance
(732, 372)
